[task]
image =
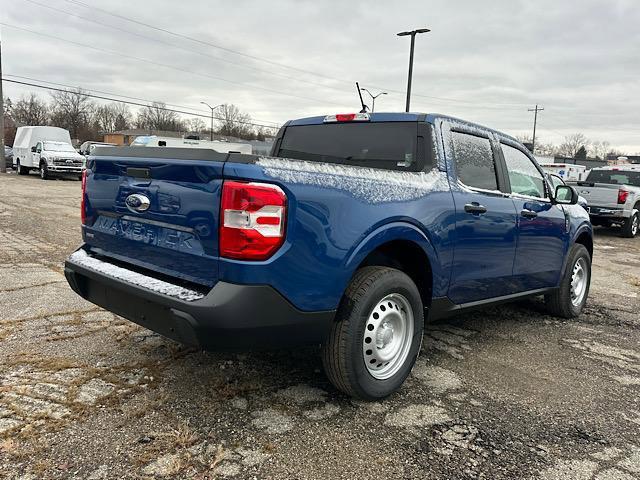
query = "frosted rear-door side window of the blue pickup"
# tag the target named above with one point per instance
(474, 161)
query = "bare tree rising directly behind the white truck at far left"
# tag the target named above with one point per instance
(73, 110)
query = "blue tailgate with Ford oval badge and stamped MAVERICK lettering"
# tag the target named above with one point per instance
(156, 208)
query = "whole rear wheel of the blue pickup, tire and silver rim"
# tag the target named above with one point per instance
(376, 337)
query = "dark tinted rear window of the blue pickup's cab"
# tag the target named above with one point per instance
(388, 145)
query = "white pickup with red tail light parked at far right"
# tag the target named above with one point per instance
(613, 195)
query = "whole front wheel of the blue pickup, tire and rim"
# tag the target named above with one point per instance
(569, 299)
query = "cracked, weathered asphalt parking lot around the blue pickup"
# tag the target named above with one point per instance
(507, 392)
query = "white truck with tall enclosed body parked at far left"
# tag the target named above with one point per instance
(47, 149)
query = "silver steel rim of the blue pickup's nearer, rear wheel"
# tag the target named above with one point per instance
(388, 336)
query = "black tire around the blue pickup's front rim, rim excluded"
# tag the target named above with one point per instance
(560, 303)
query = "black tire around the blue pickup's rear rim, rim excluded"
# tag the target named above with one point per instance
(342, 354)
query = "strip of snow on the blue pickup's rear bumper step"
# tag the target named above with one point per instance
(81, 258)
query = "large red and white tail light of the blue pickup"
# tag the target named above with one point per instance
(252, 220)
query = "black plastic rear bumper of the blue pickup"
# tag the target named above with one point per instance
(229, 316)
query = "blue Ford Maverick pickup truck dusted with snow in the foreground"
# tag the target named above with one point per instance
(357, 230)
